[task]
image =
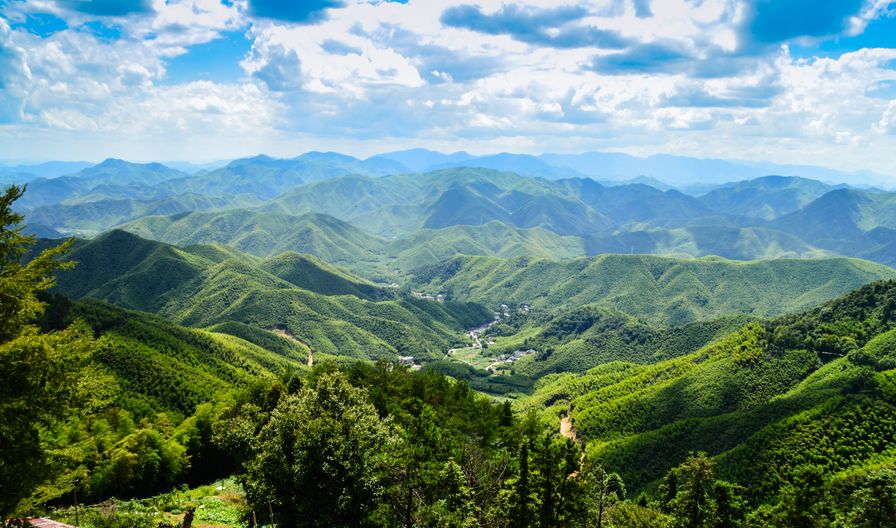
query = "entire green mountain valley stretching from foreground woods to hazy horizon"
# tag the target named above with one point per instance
(463, 311)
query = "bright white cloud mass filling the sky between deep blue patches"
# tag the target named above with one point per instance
(407, 78)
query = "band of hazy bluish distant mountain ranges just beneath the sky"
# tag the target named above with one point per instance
(402, 210)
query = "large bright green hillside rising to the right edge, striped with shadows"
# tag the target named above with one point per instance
(816, 388)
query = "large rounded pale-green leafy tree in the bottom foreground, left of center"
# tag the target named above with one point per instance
(318, 460)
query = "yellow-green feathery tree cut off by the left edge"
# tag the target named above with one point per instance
(45, 374)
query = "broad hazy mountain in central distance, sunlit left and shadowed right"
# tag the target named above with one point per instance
(402, 204)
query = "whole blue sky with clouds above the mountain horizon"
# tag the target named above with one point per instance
(788, 81)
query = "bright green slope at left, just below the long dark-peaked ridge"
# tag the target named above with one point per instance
(171, 367)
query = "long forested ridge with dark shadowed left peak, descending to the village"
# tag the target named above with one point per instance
(326, 308)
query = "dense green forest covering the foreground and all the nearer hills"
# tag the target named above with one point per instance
(735, 421)
